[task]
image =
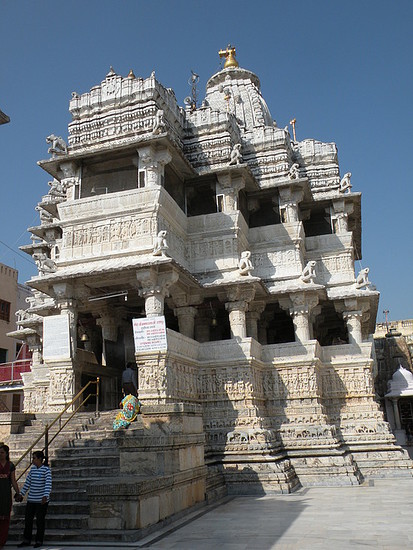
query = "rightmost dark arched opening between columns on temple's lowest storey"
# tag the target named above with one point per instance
(329, 327)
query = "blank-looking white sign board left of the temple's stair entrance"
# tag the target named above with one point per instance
(56, 337)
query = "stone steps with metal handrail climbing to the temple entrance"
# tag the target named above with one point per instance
(85, 452)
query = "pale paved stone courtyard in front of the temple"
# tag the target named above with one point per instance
(375, 515)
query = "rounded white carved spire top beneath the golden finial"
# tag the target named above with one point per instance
(237, 91)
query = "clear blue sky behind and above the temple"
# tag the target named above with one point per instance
(343, 69)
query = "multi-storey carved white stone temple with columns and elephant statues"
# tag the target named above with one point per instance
(245, 240)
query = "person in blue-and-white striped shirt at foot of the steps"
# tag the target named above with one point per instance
(39, 485)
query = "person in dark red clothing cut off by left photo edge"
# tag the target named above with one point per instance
(7, 481)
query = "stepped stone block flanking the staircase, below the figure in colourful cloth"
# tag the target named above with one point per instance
(162, 470)
